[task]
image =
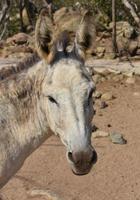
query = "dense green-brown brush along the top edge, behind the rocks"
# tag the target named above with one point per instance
(11, 11)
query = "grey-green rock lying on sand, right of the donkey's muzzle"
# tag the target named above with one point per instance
(117, 138)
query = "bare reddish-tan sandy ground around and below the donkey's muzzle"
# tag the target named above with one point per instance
(116, 176)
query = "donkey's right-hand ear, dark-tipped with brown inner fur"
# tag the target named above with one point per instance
(85, 35)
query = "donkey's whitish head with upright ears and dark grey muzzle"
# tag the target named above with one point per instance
(67, 89)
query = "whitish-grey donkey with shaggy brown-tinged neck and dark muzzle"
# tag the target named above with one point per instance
(53, 95)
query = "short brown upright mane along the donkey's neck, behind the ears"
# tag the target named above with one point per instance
(9, 72)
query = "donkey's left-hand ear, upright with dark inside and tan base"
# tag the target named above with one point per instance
(43, 35)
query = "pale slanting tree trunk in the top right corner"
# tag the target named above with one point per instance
(132, 11)
